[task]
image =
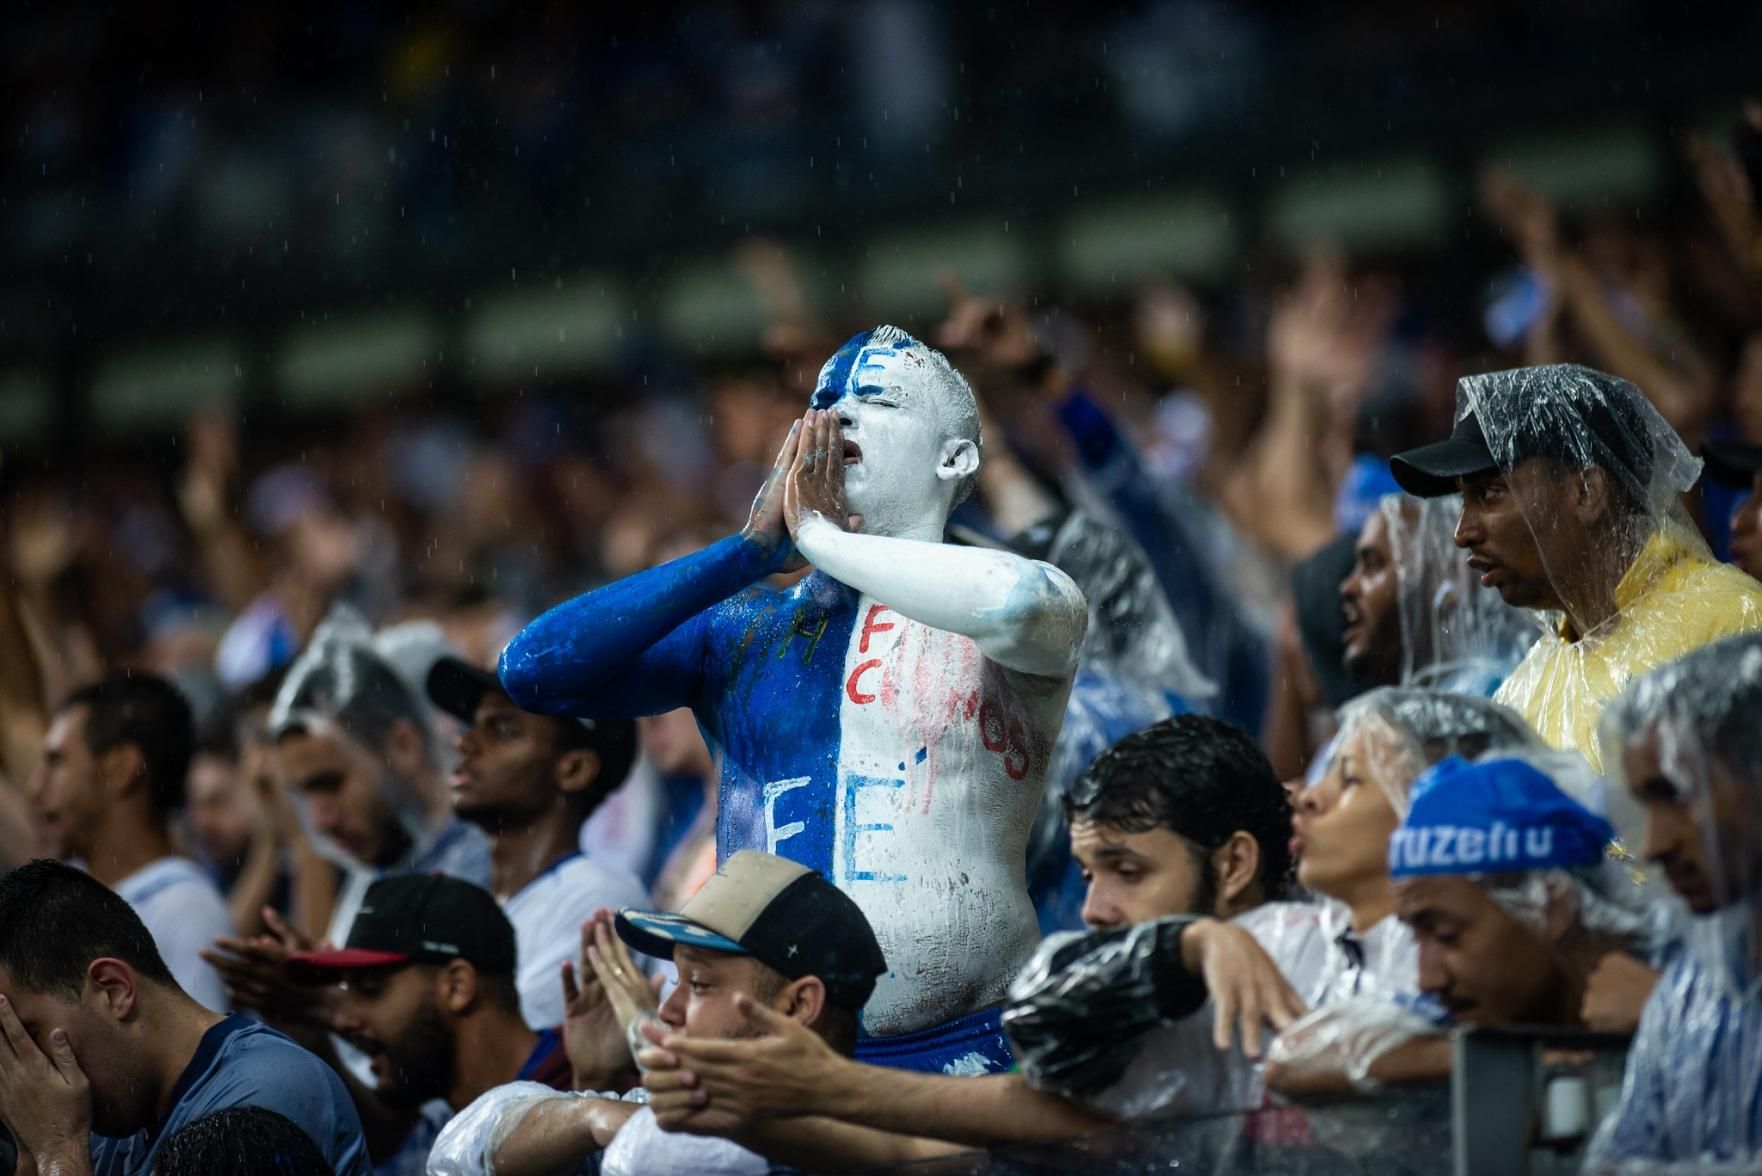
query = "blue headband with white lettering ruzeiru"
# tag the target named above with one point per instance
(1493, 817)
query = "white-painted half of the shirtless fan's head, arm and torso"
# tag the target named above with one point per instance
(956, 683)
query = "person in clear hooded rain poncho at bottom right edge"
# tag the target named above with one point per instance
(1689, 741)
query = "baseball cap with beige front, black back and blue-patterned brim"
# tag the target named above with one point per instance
(778, 912)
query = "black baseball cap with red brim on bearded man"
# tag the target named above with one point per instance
(410, 919)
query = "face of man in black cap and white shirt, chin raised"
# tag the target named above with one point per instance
(507, 764)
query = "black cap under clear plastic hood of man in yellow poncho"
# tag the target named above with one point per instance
(1610, 408)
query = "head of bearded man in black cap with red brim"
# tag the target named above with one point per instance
(426, 988)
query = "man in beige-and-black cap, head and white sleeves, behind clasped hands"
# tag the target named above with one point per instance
(764, 937)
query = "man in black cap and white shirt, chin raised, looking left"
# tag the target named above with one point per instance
(529, 782)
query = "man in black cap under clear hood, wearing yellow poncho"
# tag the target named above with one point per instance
(1571, 491)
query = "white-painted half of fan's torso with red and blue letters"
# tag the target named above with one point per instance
(942, 770)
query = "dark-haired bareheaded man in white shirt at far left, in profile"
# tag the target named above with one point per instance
(114, 773)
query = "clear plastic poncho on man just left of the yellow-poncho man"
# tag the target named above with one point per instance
(1456, 636)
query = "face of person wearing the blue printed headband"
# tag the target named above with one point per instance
(1477, 960)
